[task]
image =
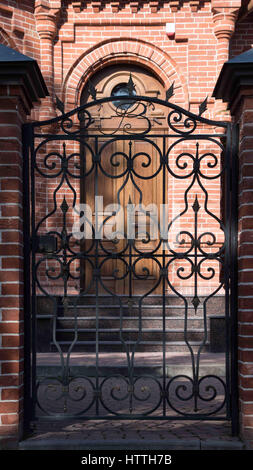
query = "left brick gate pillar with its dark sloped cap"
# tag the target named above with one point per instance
(20, 84)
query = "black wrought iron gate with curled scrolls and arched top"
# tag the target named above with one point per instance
(188, 265)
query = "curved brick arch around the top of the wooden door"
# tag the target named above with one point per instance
(123, 51)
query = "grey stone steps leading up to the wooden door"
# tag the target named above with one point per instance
(109, 316)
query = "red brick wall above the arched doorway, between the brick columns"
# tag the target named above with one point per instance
(191, 49)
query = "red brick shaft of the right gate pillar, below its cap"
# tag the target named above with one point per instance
(244, 116)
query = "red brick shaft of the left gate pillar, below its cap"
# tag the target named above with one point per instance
(12, 114)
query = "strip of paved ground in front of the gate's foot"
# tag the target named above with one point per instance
(135, 434)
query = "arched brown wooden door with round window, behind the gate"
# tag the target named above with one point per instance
(115, 147)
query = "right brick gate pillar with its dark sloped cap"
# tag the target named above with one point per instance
(235, 86)
